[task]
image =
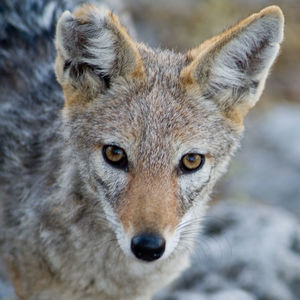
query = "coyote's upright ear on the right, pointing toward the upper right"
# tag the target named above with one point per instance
(231, 68)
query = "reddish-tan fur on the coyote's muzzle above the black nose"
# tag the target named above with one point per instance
(150, 205)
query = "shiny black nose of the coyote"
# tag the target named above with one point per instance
(148, 246)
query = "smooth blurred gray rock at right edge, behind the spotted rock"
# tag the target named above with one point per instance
(268, 166)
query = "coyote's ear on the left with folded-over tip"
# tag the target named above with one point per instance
(93, 49)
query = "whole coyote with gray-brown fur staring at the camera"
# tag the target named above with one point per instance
(105, 181)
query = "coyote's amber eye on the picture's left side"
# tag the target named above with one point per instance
(115, 156)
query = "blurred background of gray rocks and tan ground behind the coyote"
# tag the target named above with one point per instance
(250, 245)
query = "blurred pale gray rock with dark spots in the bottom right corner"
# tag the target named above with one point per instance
(248, 251)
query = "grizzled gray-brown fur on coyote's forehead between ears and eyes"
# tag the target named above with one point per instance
(156, 112)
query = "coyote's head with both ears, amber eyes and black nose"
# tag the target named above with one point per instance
(153, 130)
